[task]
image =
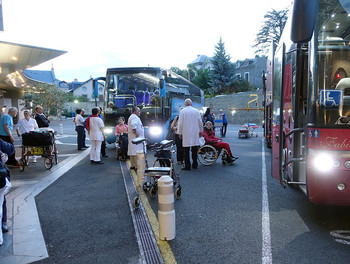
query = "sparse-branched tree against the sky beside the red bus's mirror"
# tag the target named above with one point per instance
(271, 30)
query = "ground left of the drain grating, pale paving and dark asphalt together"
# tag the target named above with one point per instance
(76, 212)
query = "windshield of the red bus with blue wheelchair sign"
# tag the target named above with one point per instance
(333, 63)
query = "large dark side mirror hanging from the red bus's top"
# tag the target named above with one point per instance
(303, 20)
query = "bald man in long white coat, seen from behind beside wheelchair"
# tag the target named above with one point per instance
(190, 129)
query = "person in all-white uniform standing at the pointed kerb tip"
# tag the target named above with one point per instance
(94, 125)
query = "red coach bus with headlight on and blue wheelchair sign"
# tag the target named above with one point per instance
(307, 101)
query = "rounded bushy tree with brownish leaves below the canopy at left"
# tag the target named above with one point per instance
(49, 96)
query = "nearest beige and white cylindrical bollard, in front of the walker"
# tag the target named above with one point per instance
(166, 211)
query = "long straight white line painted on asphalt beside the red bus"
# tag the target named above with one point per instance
(266, 234)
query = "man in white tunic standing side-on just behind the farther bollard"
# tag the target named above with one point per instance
(135, 130)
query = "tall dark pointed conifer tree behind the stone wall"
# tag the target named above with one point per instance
(223, 70)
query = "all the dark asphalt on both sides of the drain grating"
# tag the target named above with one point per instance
(219, 219)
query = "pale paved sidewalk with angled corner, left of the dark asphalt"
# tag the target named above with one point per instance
(23, 234)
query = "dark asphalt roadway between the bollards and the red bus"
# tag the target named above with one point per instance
(219, 218)
